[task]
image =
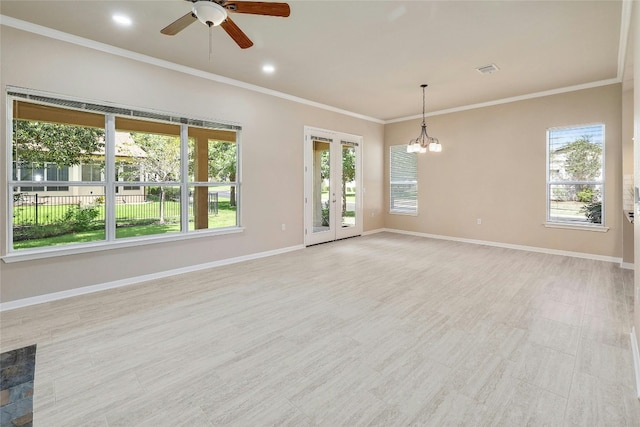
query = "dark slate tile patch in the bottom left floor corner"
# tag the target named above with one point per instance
(17, 368)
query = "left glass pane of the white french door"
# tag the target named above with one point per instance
(321, 186)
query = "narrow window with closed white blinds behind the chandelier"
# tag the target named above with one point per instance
(403, 181)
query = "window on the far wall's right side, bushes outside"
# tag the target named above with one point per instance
(575, 175)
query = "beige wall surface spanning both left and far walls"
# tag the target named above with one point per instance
(492, 166)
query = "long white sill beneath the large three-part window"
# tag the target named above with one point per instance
(57, 251)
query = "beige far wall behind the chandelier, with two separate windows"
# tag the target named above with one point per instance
(492, 167)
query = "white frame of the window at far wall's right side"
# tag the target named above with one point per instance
(578, 225)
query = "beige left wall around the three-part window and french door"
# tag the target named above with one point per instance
(272, 159)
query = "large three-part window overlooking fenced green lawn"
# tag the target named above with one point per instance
(82, 176)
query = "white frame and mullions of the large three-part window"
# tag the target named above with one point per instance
(110, 111)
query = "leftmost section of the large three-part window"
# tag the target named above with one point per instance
(47, 150)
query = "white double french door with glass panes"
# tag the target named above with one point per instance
(333, 191)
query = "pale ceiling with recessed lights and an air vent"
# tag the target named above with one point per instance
(370, 57)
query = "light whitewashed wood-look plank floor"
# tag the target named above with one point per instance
(387, 330)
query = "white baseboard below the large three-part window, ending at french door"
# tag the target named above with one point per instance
(40, 299)
